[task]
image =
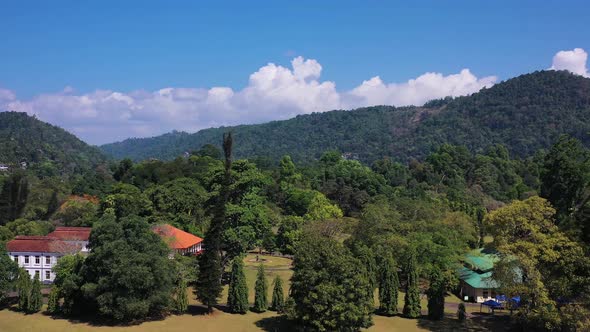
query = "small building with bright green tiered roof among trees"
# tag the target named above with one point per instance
(477, 284)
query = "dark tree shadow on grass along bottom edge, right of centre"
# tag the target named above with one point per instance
(477, 323)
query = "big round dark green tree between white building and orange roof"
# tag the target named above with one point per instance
(128, 274)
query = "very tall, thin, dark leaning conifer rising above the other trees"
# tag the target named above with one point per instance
(208, 286)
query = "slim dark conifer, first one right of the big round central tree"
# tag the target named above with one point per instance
(388, 287)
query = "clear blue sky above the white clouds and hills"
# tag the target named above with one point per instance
(130, 46)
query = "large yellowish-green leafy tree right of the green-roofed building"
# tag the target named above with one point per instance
(540, 263)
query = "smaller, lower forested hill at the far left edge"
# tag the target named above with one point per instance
(25, 138)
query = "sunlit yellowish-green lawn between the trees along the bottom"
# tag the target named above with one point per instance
(196, 319)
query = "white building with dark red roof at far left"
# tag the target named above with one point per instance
(38, 254)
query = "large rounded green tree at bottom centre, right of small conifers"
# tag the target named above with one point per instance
(329, 287)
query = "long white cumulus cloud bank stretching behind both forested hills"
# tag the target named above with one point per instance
(273, 92)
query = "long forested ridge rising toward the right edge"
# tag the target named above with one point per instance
(525, 113)
